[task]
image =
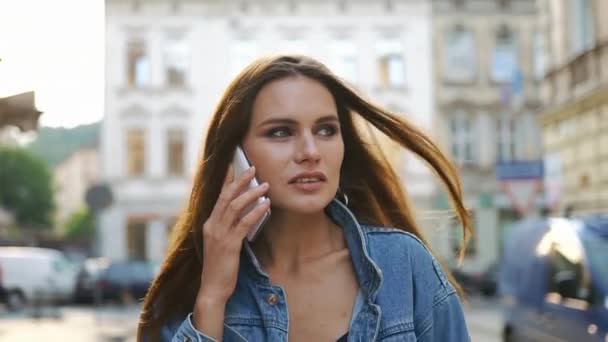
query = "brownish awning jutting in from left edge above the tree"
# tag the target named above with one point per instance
(19, 110)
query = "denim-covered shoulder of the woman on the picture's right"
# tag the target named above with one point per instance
(414, 287)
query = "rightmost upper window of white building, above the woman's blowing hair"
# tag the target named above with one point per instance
(391, 64)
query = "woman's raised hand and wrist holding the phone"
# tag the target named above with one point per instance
(223, 235)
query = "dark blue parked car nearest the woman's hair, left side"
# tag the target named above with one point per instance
(126, 280)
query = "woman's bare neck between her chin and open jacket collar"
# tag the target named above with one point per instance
(291, 241)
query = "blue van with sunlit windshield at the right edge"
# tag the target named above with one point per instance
(554, 280)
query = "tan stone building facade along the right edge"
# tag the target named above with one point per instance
(575, 103)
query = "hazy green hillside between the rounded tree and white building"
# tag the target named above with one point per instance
(56, 144)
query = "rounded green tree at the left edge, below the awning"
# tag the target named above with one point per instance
(26, 187)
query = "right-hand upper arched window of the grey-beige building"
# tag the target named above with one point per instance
(504, 58)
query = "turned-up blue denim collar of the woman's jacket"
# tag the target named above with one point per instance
(368, 273)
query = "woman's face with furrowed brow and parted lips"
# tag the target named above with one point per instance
(295, 143)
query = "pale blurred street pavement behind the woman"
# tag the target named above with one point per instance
(119, 323)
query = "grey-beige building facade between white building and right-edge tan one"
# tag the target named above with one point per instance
(486, 81)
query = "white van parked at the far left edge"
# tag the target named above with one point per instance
(36, 275)
